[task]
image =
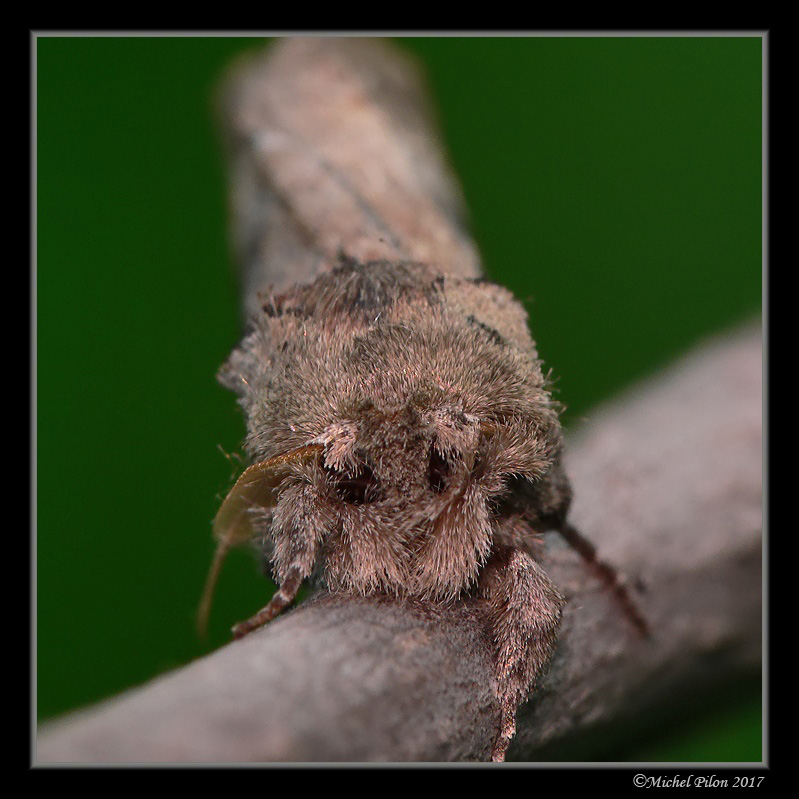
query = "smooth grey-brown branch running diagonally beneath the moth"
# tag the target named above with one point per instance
(667, 484)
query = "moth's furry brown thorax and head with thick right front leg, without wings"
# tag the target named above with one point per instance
(420, 413)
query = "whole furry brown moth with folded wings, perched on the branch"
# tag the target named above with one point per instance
(402, 435)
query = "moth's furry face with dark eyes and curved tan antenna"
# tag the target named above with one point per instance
(425, 479)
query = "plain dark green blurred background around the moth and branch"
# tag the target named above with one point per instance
(614, 183)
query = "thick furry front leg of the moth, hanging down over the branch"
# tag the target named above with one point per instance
(524, 610)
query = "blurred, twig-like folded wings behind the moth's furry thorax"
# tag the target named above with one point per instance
(333, 148)
